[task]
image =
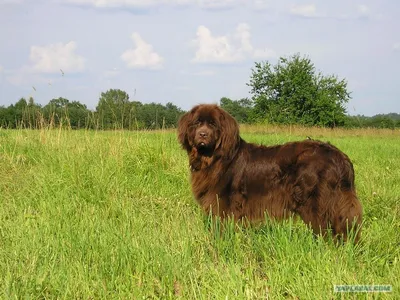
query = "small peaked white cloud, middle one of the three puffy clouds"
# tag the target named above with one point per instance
(142, 56)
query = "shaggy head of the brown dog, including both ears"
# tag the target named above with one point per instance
(208, 129)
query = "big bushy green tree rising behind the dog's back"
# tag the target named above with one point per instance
(293, 92)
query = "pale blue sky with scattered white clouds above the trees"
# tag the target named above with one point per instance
(193, 51)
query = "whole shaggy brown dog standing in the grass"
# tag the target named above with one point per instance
(231, 177)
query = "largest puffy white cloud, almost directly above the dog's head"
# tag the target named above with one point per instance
(225, 48)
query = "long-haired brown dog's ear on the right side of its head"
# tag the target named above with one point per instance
(229, 136)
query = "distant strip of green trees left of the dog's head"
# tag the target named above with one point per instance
(113, 111)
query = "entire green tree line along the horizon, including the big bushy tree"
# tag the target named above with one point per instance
(289, 92)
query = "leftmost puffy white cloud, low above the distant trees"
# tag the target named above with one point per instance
(53, 57)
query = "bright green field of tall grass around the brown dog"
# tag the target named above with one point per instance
(92, 215)
